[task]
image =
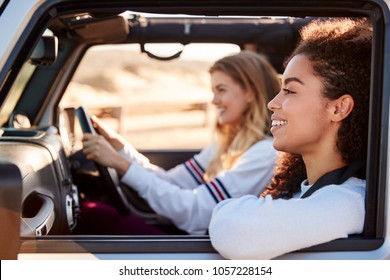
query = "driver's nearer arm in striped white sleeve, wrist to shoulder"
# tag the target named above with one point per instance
(190, 210)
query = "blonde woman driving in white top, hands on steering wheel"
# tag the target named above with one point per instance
(239, 162)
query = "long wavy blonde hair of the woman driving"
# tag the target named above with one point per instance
(255, 74)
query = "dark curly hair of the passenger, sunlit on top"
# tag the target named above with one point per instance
(340, 52)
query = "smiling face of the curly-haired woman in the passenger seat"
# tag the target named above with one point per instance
(300, 119)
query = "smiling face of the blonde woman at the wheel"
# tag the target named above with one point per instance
(229, 98)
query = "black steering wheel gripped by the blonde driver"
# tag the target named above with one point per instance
(108, 175)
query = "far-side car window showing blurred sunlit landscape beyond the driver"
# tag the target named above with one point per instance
(155, 104)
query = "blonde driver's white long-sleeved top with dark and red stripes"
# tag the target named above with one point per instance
(182, 195)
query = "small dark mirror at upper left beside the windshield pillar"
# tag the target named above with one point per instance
(45, 51)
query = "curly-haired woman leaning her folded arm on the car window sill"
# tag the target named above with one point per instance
(320, 123)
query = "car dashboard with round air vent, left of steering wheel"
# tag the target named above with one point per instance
(49, 198)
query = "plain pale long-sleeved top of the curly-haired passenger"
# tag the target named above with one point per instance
(263, 228)
